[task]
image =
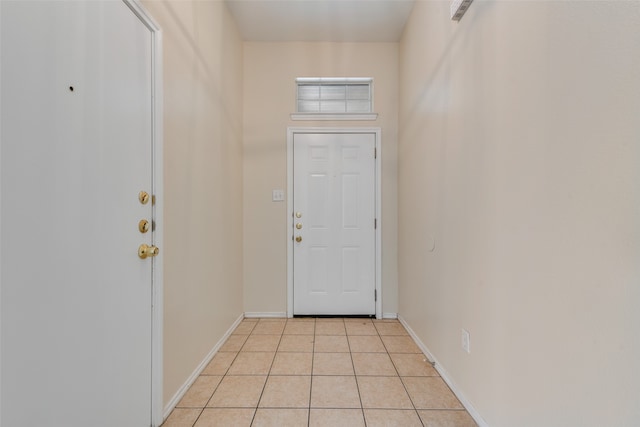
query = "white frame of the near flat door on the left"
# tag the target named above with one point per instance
(158, 208)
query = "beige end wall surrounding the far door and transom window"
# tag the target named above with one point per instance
(270, 70)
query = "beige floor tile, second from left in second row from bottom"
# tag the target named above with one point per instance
(238, 392)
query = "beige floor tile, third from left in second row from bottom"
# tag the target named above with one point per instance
(286, 392)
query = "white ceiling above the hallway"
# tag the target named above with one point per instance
(321, 20)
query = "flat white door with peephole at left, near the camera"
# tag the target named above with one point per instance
(76, 149)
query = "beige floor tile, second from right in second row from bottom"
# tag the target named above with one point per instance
(383, 393)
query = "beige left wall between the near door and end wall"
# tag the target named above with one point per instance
(202, 182)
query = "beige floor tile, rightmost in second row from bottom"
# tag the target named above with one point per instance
(431, 393)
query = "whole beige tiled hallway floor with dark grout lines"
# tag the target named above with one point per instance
(319, 372)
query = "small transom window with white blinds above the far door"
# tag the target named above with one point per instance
(334, 95)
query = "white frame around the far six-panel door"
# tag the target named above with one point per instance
(291, 131)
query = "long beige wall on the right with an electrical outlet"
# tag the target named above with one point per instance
(519, 160)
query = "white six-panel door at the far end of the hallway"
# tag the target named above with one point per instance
(333, 225)
